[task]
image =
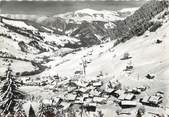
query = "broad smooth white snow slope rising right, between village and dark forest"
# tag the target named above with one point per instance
(147, 57)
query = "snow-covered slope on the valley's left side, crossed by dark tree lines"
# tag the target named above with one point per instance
(22, 43)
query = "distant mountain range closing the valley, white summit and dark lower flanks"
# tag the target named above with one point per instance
(89, 26)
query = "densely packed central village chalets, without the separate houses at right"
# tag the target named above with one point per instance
(83, 93)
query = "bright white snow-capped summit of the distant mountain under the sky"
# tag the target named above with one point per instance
(90, 15)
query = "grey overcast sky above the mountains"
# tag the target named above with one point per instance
(50, 8)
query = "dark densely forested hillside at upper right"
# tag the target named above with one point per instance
(139, 22)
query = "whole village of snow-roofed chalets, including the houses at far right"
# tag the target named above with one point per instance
(89, 94)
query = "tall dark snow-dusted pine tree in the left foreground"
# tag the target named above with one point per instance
(10, 94)
